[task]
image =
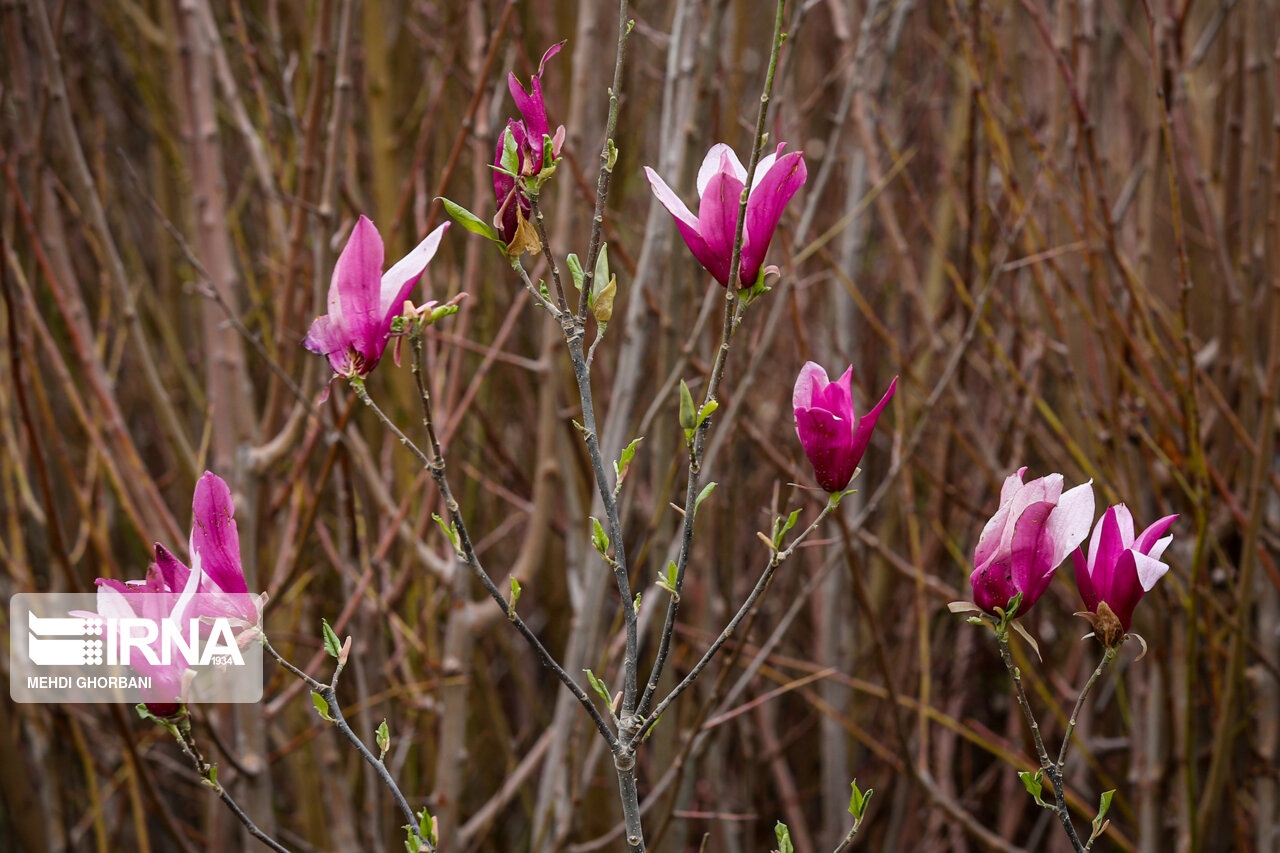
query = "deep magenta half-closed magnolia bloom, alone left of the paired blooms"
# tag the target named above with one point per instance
(833, 436)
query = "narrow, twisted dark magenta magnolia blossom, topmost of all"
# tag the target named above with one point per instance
(529, 135)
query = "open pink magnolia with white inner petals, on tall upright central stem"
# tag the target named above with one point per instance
(711, 234)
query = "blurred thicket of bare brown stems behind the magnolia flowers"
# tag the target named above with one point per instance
(1058, 223)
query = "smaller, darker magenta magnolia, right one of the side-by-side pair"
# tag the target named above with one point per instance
(1121, 568)
